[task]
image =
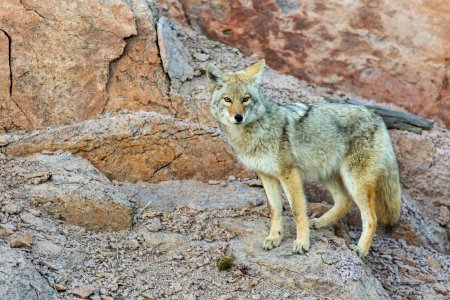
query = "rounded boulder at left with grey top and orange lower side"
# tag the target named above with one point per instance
(70, 188)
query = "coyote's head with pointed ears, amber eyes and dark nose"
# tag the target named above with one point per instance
(235, 96)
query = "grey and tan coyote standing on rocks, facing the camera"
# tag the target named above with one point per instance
(347, 148)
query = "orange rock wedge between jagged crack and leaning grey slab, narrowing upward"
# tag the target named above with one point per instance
(137, 80)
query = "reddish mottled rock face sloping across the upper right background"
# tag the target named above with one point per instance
(362, 47)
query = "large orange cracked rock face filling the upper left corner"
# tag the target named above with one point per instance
(64, 62)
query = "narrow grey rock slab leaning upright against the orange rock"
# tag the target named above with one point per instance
(175, 58)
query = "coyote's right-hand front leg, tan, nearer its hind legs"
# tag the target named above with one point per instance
(293, 187)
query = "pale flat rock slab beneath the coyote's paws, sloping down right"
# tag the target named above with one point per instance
(341, 275)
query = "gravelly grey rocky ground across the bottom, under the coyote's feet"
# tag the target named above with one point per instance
(178, 232)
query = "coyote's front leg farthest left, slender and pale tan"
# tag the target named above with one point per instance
(273, 193)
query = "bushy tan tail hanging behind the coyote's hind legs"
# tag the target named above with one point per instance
(389, 203)
